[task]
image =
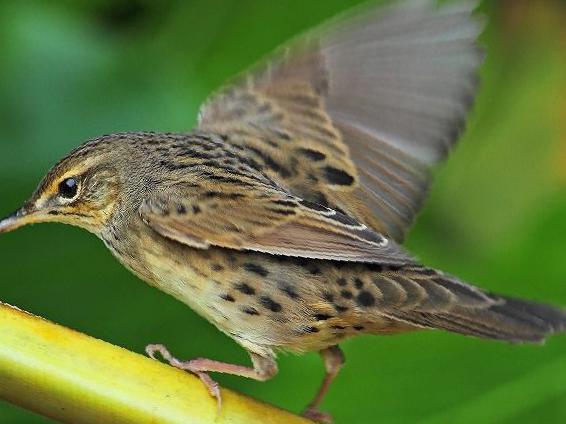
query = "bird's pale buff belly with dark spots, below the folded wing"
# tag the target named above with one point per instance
(263, 302)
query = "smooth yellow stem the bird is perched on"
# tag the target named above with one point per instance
(73, 378)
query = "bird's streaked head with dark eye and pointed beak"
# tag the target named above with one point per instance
(82, 189)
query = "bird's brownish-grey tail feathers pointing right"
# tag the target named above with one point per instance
(474, 312)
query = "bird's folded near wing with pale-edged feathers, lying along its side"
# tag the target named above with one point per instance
(253, 216)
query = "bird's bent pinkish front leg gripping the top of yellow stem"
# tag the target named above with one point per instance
(263, 369)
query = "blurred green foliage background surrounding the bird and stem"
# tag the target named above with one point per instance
(70, 70)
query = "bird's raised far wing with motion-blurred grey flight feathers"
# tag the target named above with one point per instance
(354, 115)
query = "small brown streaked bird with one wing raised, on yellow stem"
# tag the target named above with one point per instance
(279, 219)
